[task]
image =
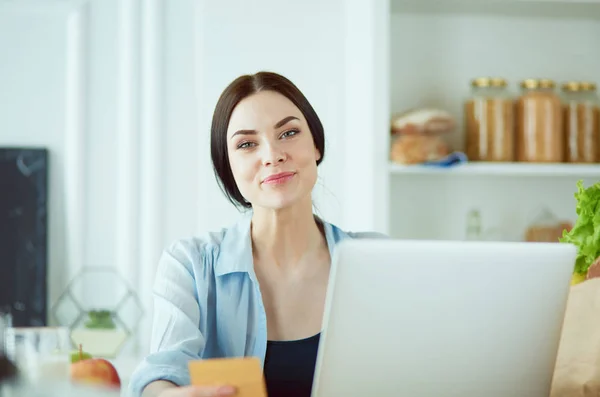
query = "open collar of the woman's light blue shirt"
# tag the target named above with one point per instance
(235, 253)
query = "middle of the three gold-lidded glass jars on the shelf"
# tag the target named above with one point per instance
(539, 128)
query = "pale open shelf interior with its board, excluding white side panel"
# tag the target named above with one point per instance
(436, 48)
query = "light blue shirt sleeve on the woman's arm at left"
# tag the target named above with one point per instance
(176, 336)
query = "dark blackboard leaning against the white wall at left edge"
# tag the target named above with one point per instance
(23, 234)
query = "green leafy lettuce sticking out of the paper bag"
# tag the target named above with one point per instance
(586, 231)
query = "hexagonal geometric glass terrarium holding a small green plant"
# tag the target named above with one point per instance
(101, 310)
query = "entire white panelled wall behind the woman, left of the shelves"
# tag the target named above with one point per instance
(151, 73)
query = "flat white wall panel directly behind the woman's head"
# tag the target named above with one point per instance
(302, 40)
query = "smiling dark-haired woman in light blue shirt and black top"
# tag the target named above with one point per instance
(256, 288)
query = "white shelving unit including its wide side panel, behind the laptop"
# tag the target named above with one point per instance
(424, 53)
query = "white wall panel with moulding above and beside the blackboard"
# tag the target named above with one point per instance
(42, 103)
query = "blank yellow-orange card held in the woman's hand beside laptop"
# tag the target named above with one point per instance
(244, 373)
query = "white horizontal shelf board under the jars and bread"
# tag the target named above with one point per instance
(501, 169)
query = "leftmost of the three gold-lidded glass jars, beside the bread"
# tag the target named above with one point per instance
(489, 121)
